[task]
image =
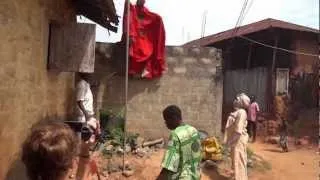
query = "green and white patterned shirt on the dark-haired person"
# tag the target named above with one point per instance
(183, 154)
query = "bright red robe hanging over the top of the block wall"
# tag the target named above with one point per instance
(147, 42)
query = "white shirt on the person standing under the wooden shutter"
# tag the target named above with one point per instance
(84, 94)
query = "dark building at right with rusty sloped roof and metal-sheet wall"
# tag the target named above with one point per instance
(267, 58)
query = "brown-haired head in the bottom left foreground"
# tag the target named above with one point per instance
(49, 152)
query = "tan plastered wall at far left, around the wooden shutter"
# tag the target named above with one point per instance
(28, 92)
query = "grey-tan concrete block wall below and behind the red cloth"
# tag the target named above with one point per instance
(190, 82)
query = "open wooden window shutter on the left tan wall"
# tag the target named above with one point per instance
(72, 47)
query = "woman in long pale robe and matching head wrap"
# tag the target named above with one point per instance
(236, 136)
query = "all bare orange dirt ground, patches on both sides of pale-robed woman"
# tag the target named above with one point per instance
(298, 164)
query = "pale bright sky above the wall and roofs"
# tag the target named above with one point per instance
(183, 18)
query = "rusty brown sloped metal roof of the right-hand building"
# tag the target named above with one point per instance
(248, 29)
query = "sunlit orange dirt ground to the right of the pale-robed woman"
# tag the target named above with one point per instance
(301, 163)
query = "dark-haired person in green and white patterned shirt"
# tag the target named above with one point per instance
(183, 155)
